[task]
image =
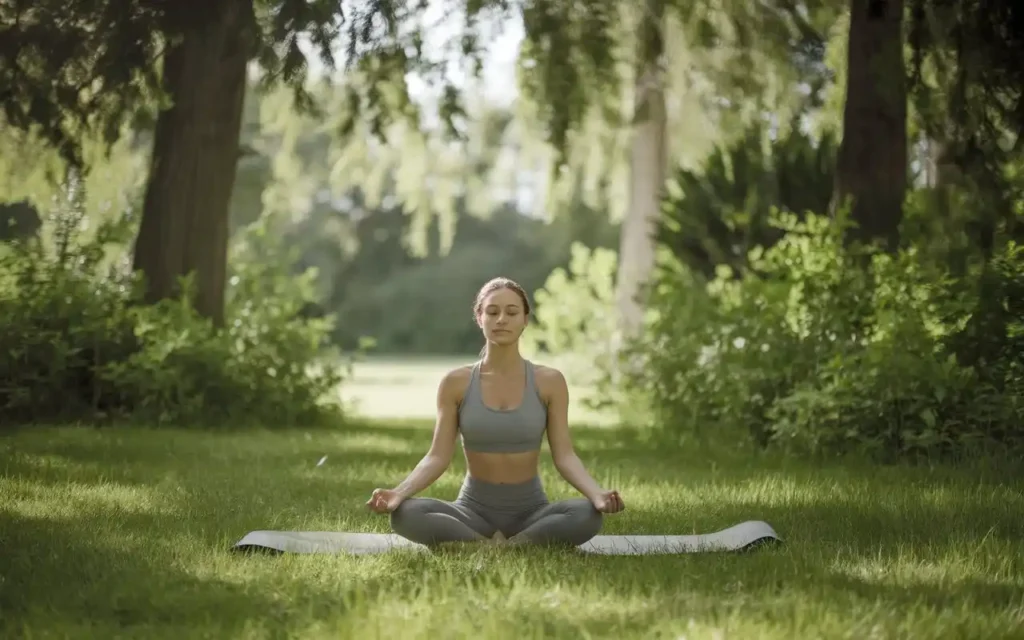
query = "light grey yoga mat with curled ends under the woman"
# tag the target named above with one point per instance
(739, 538)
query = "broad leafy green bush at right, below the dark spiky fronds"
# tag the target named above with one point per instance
(812, 352)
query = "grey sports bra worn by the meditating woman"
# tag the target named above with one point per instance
(495, 431)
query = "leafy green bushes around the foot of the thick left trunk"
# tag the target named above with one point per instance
(81, 347)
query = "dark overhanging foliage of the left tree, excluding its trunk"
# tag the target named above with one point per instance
(71, 70)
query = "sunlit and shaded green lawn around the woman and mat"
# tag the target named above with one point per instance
(126, 533)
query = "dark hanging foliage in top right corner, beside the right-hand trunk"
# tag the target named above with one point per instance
(967, 91)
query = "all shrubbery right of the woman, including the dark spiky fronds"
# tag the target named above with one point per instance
(766, 320)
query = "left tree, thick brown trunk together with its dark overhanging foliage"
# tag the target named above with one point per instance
(92, 66)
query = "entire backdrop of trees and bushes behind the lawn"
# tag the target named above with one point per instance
(764, 315)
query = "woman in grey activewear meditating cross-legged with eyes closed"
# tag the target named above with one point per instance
(502, 406)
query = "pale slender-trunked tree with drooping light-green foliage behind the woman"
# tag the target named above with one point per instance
(573, 87)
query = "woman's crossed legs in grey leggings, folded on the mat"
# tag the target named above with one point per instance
(431, 522)
